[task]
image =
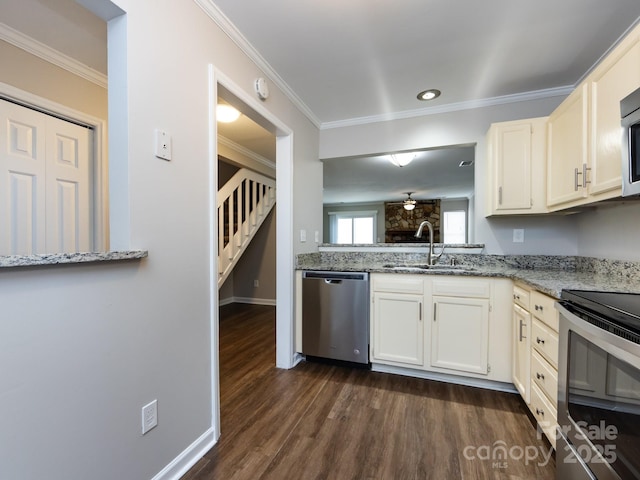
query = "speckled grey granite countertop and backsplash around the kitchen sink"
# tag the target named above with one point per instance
(547, 274)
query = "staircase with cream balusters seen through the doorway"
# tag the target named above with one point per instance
(243, 204)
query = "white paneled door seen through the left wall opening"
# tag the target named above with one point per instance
(45, 183)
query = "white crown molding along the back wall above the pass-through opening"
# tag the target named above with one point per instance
(452, 107)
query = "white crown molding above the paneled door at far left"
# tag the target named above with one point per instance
(51, 55)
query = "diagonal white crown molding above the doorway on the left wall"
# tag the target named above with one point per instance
(240, 40)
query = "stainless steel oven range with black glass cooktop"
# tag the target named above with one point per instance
(598, 386)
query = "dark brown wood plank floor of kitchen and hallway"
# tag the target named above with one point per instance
(320, 421)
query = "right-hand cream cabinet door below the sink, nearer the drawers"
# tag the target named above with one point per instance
(460, 334)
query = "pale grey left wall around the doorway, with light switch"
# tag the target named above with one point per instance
(83, 348)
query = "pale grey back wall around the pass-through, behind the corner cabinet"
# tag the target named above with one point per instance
(543, 235)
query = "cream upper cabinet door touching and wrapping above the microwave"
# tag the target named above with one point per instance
(609, 84)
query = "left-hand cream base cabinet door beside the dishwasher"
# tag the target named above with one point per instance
(398, 328)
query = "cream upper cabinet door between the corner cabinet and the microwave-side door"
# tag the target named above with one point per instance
(567, 152)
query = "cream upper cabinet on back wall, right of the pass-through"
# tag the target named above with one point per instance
(517, 160)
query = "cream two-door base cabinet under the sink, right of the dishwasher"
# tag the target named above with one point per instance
(442, 324)
